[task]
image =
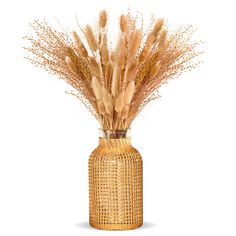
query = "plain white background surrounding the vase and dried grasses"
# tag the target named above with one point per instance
(186, 138)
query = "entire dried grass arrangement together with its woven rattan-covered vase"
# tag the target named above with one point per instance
(115, 84)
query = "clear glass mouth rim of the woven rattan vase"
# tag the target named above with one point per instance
(114, 134)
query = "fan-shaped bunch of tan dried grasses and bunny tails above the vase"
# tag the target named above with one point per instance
(114, 83)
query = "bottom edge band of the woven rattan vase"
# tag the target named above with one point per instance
(115, 226)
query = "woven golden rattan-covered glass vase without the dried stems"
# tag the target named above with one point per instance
(115, 183)
